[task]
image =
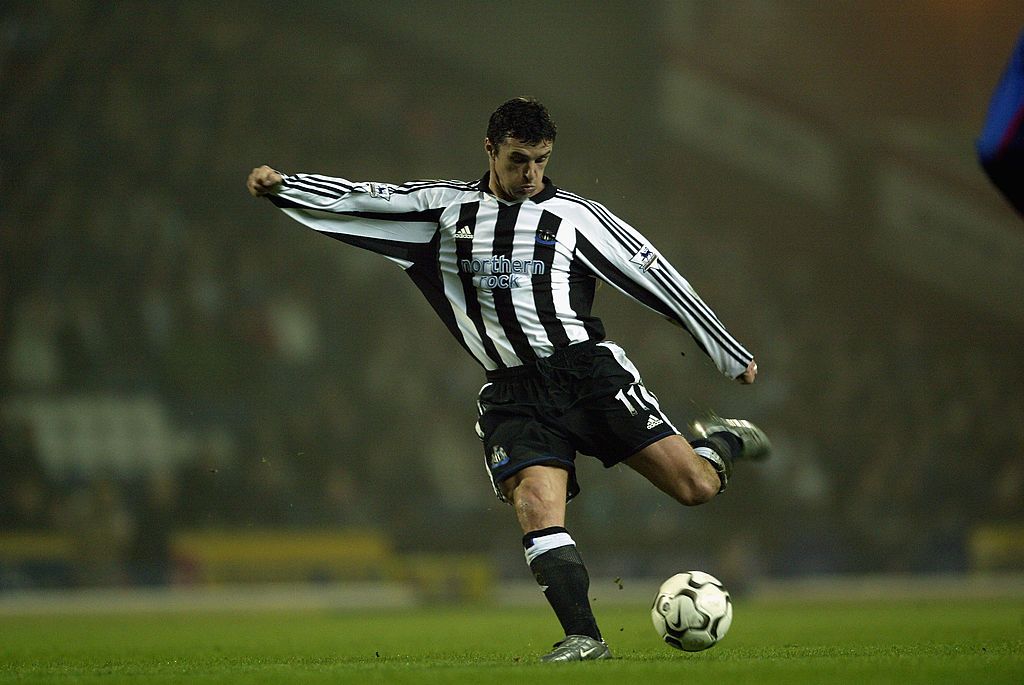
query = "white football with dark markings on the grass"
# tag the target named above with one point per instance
(693, 612)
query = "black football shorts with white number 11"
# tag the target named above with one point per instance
(586, 399)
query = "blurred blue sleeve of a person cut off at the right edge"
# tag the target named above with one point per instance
(1001, 147)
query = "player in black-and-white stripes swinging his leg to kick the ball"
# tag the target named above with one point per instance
(510, 264)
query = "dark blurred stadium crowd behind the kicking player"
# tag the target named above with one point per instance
(178, 357)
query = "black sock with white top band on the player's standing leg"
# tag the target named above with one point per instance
(561, 573)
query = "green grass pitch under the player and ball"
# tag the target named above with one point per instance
(970, 641)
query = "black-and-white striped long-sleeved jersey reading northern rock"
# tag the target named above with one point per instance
(513, 281)
